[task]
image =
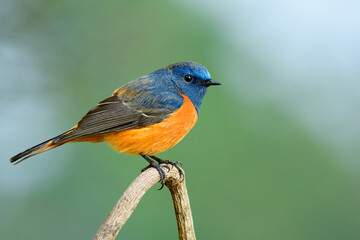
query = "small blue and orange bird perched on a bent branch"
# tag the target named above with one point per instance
(144, 117)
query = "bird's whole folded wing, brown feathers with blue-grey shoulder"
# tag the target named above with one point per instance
(129, 110)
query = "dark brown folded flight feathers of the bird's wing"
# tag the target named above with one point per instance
(112, 115)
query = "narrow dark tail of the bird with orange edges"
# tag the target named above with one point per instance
(42, 147)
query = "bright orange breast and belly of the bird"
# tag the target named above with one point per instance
(159, 137)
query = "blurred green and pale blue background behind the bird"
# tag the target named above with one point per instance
(274, 154)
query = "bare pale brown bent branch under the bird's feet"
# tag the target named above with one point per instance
(131, 197)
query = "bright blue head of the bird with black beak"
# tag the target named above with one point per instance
(188, 78)
